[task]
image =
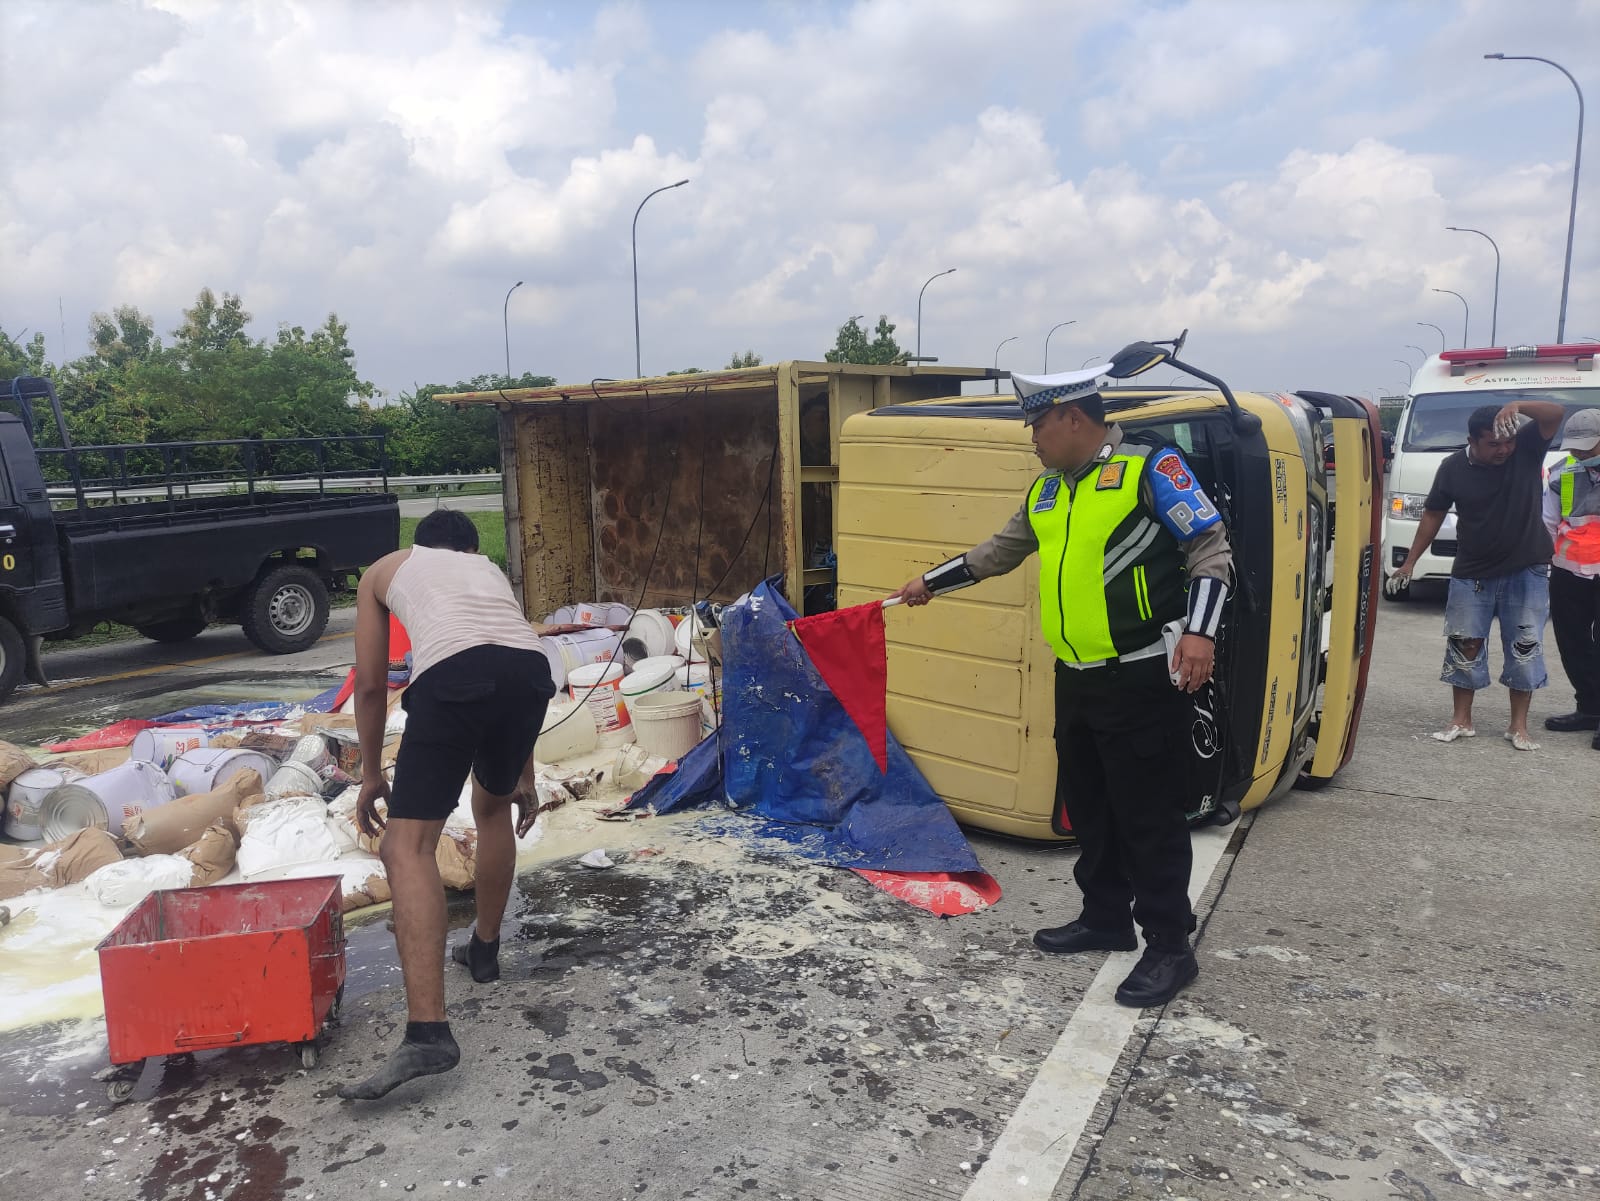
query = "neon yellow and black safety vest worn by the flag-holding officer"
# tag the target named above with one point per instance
(1110, 575)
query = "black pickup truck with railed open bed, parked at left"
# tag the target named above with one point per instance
(172, 537)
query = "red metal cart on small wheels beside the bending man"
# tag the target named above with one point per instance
(234, 965)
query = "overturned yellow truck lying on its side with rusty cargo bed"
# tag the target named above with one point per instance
(668, 492)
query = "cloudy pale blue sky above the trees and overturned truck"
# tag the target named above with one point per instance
(1276, 177)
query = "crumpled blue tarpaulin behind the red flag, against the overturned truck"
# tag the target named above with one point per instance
(793, 762)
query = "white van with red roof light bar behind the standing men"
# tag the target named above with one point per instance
(1444, 393)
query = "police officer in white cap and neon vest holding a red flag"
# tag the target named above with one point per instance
(1134, 569)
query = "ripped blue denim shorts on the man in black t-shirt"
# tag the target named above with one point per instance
(1522, 605)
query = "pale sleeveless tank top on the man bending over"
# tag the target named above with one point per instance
(452, 602)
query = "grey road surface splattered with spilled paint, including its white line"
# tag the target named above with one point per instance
(1398, 1000)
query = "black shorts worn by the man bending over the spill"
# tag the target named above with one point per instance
(479, 711)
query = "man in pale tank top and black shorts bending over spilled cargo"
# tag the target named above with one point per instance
(476, 703)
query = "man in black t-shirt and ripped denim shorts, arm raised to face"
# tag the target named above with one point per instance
(1503, 559)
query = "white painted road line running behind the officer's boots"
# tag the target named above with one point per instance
(1041, 1138)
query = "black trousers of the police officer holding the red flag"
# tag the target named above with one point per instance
(1122, 778)
